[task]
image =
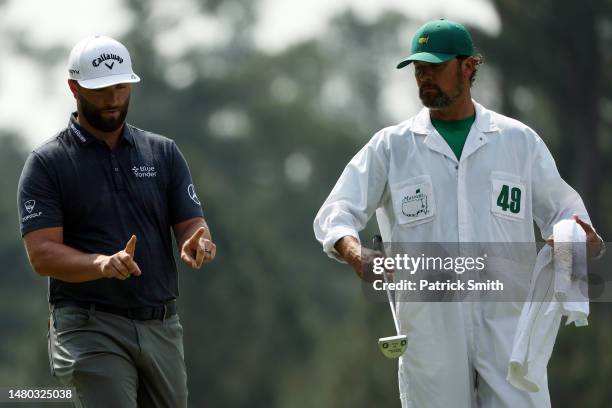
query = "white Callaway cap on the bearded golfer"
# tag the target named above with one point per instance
(99, 61)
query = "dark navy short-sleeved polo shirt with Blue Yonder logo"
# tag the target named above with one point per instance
(101, 197)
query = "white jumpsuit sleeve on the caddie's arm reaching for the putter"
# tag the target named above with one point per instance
(354, 198)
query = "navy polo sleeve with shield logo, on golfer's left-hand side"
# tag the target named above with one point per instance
(38, 197)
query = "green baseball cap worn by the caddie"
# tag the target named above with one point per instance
(439, 41)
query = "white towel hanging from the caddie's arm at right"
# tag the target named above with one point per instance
(558, 288)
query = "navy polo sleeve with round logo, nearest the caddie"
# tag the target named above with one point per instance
(183, 202)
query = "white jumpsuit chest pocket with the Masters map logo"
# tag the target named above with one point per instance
(413, 201)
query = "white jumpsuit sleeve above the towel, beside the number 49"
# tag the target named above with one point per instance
(553, 199)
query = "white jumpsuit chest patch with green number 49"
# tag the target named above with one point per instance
(508, 196)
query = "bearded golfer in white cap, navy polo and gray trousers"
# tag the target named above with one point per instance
(97, 205)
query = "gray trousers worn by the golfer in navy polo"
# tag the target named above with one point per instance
(116, 362)
